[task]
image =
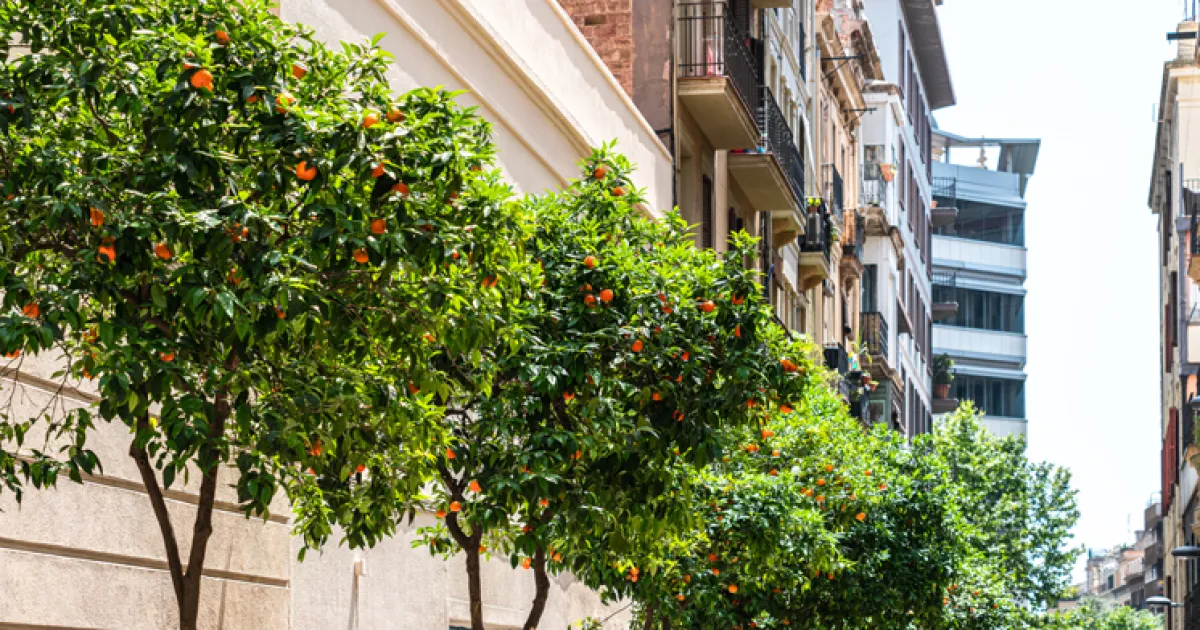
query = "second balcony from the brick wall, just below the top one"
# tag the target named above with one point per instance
(772, 177)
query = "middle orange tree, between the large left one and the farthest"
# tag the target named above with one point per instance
(641, 352)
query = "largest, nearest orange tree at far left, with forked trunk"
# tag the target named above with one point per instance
(239, 241)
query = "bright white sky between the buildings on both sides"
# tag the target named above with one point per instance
(1084, 76)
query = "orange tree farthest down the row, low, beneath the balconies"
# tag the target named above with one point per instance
(812, 523)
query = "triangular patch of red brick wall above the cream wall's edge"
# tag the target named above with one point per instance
(609, 28)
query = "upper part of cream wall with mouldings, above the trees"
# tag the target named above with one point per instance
(523, 63)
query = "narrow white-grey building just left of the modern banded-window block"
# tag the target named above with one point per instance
(898, 209)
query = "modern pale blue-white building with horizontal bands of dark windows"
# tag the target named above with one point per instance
(980, 266)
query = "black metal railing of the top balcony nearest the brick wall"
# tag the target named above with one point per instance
(712, 45)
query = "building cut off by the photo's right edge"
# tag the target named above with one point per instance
(1175, 199)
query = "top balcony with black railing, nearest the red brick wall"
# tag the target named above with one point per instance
(719, 77)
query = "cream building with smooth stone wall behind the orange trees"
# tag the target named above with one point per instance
(91, 555)
